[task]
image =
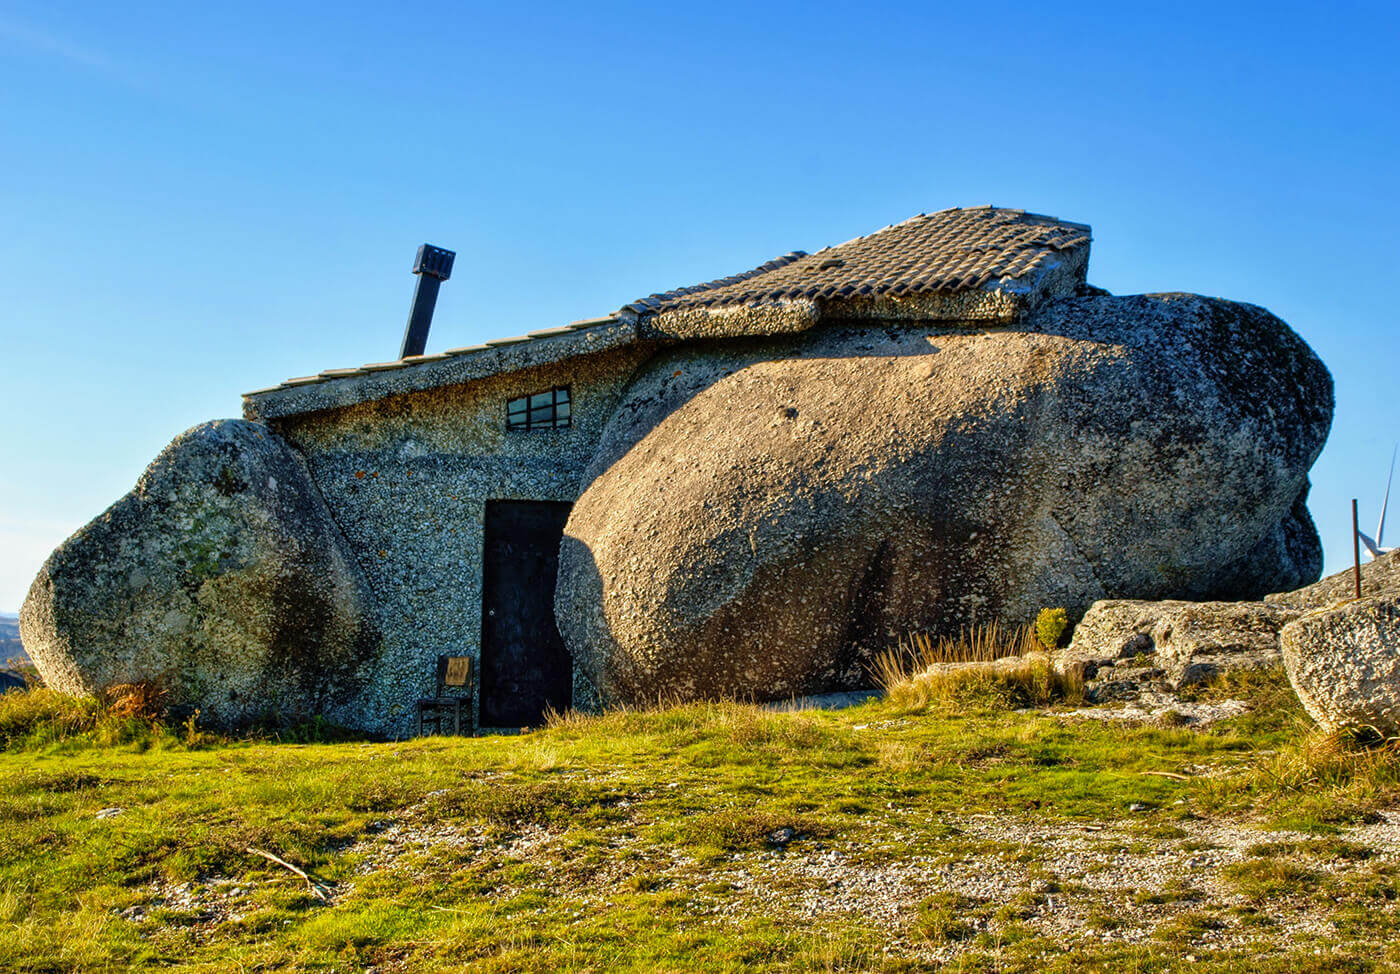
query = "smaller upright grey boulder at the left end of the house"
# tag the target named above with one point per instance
(222, 577)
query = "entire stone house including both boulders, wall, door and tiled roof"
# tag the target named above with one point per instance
(743, 488)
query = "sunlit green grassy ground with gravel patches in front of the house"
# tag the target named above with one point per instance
(705, 838)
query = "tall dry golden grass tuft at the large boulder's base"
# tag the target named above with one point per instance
(990, 664)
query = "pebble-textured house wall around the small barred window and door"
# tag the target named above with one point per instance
(408, 478)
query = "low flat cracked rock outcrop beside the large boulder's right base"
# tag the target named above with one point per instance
(1125, 647)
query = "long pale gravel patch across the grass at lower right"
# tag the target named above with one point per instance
(1073, 882)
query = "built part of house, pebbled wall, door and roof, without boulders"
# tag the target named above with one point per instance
(453, 474)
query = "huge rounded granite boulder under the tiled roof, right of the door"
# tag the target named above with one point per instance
(762, 516)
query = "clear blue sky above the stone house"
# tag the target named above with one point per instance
(198, 201)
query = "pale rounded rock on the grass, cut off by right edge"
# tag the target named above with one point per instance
(1345, 664)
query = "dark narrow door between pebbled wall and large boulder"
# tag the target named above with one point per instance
(524, 664)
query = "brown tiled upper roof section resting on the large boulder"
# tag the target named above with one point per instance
(939, 253)
